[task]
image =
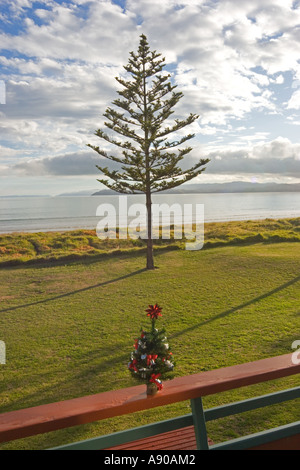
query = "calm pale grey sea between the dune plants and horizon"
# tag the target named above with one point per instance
(45, 214)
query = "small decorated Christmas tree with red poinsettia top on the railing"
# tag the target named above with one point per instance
(152, 359)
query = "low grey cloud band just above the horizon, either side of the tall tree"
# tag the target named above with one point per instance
(279, 157)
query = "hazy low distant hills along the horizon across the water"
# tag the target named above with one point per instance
(234, 187)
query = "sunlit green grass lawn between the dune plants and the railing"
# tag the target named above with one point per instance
(69, 328)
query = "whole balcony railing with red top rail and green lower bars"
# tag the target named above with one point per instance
(65, 414)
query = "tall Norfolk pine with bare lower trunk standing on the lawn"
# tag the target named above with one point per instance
(148, 164)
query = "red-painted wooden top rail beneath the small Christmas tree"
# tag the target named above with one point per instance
(63, 414)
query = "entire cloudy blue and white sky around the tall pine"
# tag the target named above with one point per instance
(236, 62)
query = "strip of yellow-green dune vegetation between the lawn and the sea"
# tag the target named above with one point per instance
(20, 248)
